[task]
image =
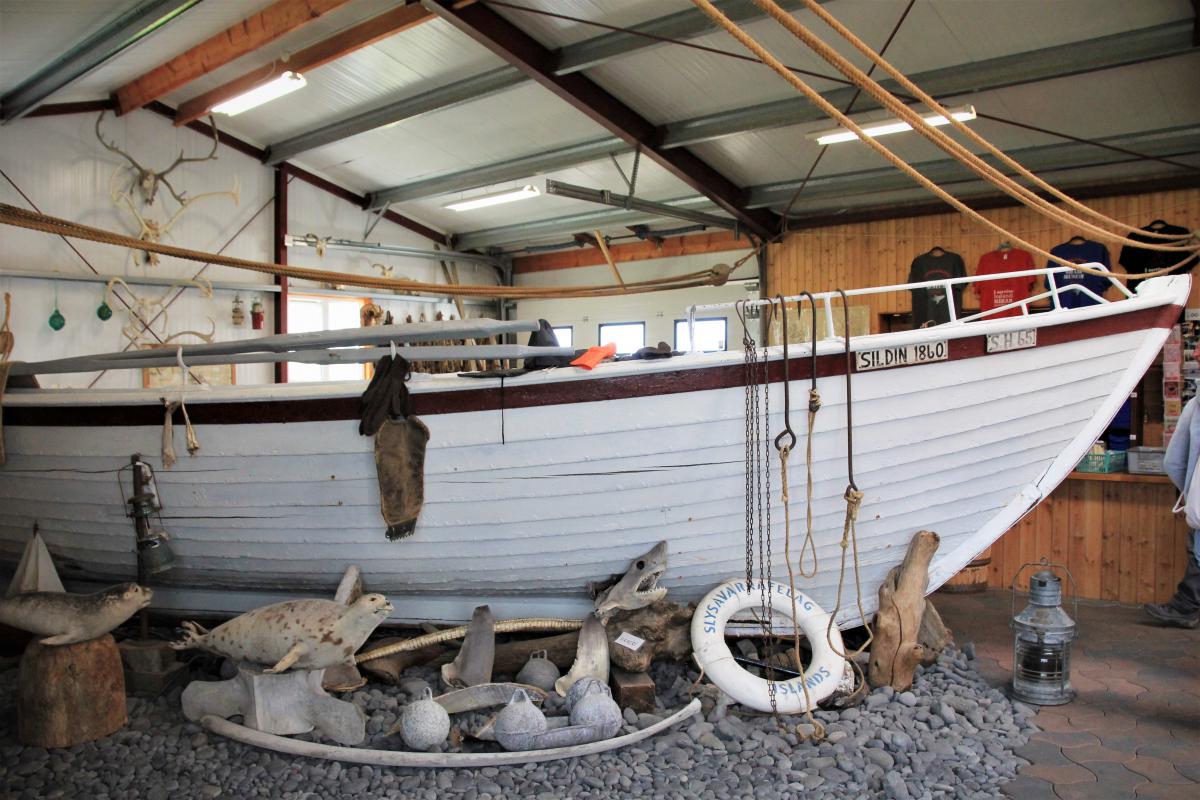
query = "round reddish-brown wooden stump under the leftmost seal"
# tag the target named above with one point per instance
(71, 694)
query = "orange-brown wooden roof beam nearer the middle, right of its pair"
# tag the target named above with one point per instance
(343, 44)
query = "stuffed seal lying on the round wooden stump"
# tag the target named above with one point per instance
(68, 618)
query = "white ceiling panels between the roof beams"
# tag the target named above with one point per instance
(664, 83)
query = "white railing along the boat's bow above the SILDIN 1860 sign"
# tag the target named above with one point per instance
(825, 299)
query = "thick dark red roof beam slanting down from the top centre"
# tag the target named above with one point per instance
(524, 52)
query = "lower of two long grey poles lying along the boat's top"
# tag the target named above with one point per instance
(166, 358)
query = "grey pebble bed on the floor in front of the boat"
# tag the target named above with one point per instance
(951, 737)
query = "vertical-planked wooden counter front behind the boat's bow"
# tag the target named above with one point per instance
(1115, 532)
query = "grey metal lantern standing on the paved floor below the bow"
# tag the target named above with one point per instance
(1043, 636)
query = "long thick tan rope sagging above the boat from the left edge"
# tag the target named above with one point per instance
(17, 218)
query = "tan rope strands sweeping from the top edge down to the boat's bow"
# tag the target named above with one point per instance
(1023, 195)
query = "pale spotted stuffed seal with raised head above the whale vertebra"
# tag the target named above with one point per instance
(302, 634)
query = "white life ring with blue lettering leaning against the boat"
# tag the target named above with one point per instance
(715, 657)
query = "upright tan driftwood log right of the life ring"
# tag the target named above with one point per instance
(897, 649)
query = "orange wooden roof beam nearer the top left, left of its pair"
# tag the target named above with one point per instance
(273, 22)
